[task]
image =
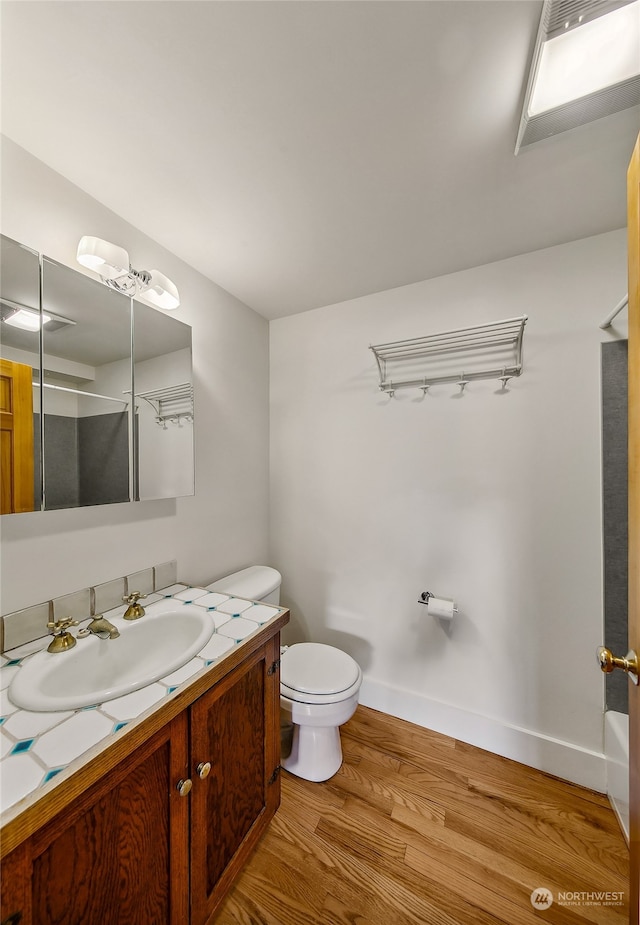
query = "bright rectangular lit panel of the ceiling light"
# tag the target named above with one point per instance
(581, 61)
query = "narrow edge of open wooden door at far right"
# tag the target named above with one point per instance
(633, 197)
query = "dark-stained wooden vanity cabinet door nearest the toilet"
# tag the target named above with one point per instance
(235, 729)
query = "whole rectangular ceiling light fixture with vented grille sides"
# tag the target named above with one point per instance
(586, 65)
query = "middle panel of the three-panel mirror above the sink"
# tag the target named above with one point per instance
(86, 371)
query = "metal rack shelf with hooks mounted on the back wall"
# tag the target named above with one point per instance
(484, 351)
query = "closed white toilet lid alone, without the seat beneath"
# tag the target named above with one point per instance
(313, 668)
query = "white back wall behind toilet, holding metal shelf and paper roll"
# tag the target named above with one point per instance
(492, 499)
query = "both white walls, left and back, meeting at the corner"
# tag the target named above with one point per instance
(492, 499)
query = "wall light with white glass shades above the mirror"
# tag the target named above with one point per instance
(111, 263)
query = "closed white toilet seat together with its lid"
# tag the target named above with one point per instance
(311, 672)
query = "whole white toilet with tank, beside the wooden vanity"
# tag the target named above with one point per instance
(319, 684)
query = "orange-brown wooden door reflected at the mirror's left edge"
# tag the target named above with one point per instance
(16, 436)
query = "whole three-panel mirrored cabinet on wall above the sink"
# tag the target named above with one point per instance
(110, 416)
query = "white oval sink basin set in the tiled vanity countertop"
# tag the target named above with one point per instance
(96, 670)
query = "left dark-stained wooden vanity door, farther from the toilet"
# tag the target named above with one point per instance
(124, 856)
